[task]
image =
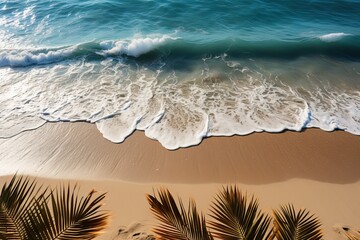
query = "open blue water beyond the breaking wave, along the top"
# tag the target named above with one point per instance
(48, 23)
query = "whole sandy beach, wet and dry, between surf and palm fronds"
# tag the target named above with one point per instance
(313, 169)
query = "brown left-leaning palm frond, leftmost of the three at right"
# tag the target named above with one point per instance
(176, 222)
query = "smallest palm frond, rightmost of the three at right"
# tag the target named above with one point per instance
(290, 225)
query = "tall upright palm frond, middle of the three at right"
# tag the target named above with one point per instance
(238, 218)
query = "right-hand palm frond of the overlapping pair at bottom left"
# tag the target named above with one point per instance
(67, 217)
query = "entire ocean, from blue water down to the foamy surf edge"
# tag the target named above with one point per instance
(180, 70)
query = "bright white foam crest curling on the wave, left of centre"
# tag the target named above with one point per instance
(134, 47)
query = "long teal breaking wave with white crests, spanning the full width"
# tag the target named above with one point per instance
(333, 45)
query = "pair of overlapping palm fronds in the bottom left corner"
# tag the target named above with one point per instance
(57, 214)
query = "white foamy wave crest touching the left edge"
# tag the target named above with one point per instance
(22, 58)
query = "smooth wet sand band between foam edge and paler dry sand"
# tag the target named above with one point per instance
(258, 158)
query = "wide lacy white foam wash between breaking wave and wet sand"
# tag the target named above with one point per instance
(216, 98)
